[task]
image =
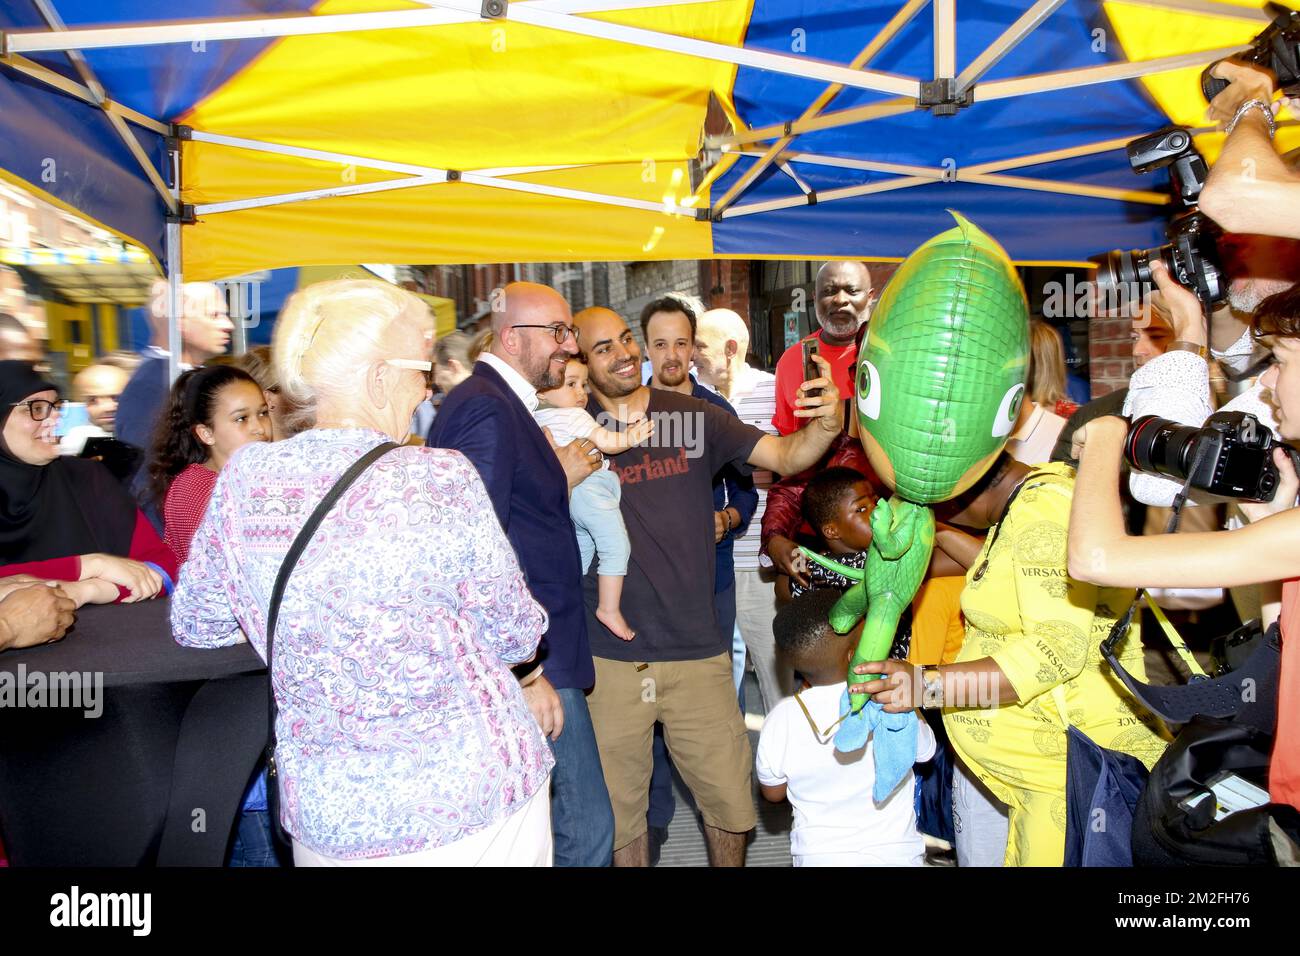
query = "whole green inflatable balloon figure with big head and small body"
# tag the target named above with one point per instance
(939, 387)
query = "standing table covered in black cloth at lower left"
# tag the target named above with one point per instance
(159, 776)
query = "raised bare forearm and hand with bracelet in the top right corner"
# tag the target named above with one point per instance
(1251, 189)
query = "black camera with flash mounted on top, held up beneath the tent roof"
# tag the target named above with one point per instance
(1191, 254)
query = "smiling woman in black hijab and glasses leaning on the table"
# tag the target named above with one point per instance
(66, 518)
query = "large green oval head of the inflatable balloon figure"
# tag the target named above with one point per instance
(942, 374)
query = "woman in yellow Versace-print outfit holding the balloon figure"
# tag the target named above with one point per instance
(1032, 664)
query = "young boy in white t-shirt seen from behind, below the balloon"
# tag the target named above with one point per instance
(837, 821)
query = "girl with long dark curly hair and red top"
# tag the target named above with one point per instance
(213, 412)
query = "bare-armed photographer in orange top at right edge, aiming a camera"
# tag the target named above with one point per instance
(1263, 552)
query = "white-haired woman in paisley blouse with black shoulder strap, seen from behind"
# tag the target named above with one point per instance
(402, 736)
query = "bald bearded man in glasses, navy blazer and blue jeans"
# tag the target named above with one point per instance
(489, 419)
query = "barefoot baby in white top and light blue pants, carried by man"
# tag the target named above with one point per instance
(595, 504)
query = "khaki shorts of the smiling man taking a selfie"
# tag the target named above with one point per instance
(703, 728)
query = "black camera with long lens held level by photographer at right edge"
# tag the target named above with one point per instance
(1230, 456)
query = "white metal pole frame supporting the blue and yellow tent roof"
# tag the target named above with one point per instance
(947, 92)
